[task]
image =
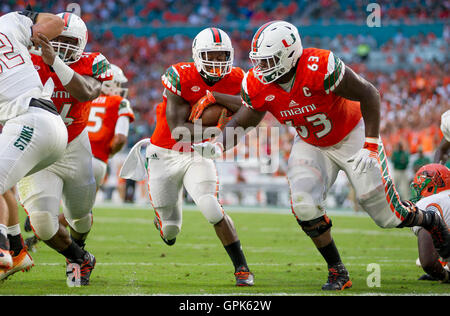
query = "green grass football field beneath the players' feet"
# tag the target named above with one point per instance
(132, 259)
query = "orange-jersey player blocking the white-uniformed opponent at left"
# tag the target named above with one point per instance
(78, 76)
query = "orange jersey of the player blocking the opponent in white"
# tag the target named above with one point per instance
(74, 113)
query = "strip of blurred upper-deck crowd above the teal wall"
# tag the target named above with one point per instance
(197, 12)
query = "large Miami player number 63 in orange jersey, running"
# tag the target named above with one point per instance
(337, 115)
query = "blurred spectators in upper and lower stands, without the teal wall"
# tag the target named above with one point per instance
(411, 73)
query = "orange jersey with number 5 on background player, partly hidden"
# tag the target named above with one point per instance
(105, 111)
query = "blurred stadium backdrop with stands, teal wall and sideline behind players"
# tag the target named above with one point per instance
(406, 59)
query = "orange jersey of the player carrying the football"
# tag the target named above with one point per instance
(184, 80)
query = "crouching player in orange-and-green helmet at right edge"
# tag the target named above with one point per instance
(431, 191)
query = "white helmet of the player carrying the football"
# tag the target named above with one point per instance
(212, 40)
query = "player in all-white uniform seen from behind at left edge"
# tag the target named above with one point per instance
(33, 134)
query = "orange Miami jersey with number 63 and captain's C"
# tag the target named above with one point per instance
(321, 117)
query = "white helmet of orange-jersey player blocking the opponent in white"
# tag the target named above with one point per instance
(75, 28)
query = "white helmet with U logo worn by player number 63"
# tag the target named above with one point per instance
(276, 48)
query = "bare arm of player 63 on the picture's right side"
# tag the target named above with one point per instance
(356, 88)
